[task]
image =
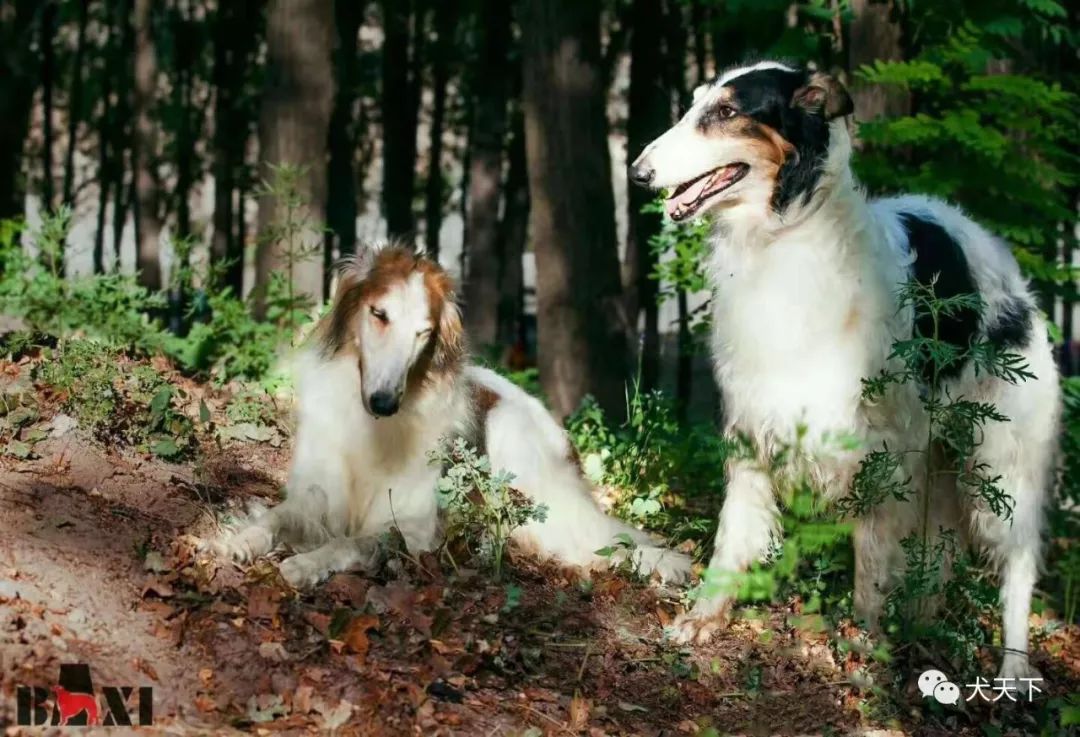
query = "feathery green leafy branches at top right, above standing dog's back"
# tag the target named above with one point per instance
(1002, 145)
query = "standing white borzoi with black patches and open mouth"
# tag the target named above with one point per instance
(805, 273)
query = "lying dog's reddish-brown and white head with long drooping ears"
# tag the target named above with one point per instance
(396, 311)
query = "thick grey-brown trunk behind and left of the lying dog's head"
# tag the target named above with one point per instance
(294, 124)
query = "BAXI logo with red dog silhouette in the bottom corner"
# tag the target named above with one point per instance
(74, 703)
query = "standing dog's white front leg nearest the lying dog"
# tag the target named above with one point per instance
(748, 526)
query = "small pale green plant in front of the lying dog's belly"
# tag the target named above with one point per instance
(482, 507)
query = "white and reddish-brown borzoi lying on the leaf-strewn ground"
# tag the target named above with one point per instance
(385, 382)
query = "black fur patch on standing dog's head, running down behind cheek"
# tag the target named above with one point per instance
(766, 97)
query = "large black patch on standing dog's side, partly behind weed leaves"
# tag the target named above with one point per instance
(938, 257)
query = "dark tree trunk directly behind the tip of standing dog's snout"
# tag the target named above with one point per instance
(650, 117)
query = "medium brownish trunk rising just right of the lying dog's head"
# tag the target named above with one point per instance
(491, 88)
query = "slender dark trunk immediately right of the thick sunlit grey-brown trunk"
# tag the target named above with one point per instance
(342, 183)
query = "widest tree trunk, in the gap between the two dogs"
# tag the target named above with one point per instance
(583, 327)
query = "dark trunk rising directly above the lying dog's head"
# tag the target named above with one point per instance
(400, 106)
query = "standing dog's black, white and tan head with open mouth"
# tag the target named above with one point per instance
(755, 140)
